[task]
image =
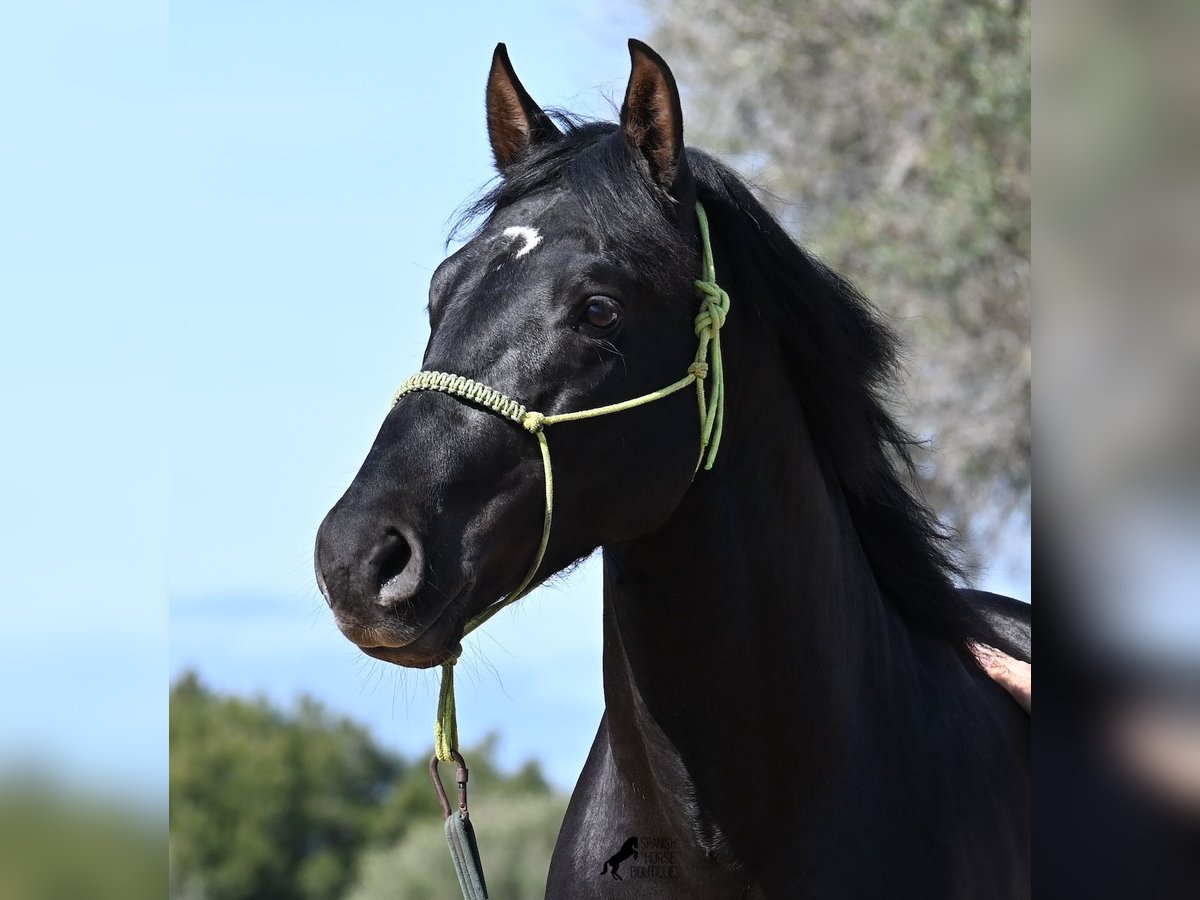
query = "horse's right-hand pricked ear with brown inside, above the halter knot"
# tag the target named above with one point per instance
(652, 117)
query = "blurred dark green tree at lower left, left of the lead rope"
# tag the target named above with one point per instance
(266, 806)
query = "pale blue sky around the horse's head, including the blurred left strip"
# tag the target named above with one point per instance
(221, 224)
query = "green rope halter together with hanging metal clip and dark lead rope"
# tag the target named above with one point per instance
(713, 310)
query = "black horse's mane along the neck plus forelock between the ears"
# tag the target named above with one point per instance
(844, 358)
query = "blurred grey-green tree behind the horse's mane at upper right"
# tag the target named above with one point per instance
(902, 131)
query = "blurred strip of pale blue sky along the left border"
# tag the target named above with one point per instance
(83, 463)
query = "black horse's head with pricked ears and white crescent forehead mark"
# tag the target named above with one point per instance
(577, 292)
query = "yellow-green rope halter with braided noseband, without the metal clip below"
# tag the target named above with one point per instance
(715, 308)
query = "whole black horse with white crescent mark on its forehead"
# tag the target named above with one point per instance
(791, 700)
